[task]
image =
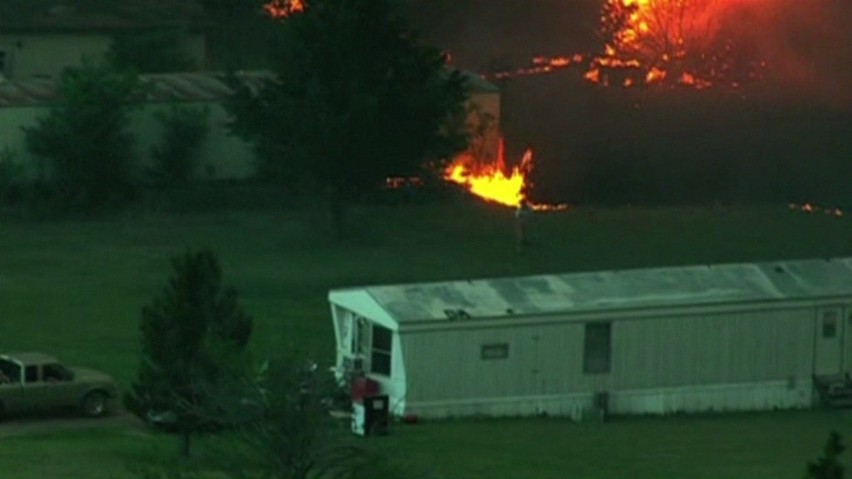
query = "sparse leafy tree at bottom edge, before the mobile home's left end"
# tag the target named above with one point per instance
(285, 430)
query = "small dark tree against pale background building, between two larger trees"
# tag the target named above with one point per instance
(176, 156)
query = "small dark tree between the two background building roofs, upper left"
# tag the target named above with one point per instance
(160, 50)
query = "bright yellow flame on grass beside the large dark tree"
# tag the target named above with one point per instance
(496, 183)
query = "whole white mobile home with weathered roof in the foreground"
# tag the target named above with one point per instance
(696, 338)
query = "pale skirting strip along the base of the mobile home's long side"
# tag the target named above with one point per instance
(692, 399)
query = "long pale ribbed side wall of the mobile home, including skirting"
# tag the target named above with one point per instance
(705, 361)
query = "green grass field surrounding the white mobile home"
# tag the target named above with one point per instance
(75, 289)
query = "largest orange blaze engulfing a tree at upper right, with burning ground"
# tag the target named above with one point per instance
(650, 42)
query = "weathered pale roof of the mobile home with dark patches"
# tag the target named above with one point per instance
(606, 290)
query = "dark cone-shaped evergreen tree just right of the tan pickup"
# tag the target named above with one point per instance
(187, 333)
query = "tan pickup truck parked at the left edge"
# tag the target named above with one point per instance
(36, 382)
